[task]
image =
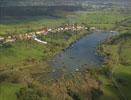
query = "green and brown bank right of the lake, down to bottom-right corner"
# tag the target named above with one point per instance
(115, 73)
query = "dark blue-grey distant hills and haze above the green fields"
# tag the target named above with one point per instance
(17, 9)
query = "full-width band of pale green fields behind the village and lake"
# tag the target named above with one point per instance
(98, 19)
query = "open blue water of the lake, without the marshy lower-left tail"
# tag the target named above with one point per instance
(82, 53)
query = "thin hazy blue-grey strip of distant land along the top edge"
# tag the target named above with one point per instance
(55, 2)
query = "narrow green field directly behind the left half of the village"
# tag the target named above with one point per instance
(27, 26)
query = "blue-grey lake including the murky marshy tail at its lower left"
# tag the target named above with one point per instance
(80, 55)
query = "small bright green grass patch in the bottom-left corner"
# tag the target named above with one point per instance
(8, 91)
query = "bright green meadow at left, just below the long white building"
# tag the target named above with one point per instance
(21, 51)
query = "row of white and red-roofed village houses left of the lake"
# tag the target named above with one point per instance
(44, 31)
